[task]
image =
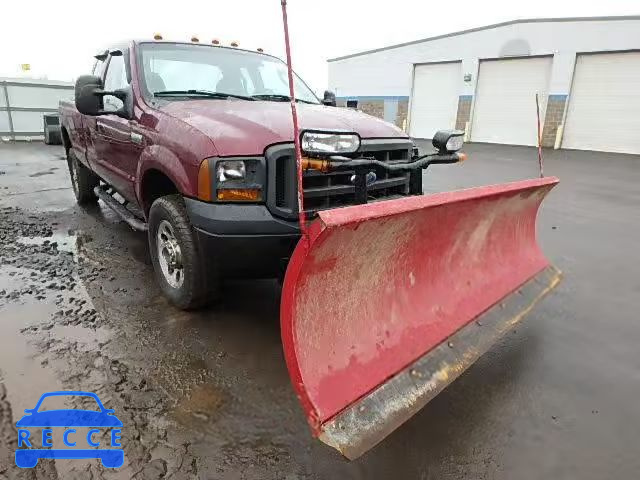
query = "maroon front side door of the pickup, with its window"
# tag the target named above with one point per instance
(116, 154)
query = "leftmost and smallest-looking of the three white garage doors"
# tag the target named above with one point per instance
(434, 104)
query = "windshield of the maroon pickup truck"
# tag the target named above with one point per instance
(183, 68)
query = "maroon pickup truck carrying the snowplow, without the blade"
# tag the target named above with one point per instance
(193, 143)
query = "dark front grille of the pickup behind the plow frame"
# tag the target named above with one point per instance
(330, 190)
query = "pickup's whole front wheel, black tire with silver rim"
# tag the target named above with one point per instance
(176, 256)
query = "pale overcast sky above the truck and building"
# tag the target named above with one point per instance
(58, 38)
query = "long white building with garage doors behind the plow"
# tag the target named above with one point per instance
(586, 72)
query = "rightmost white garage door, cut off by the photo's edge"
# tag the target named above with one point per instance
(604, 104)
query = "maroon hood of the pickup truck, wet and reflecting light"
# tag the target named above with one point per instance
(239, 127)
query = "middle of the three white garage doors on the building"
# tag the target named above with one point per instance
(505, 107)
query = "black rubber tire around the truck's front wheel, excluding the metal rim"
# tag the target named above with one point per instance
(198, 283)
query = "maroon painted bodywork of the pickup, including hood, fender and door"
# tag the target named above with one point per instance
(178, 135)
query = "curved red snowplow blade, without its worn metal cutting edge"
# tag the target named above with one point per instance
(376, 286)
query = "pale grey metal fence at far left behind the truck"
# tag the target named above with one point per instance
(23, 102)
